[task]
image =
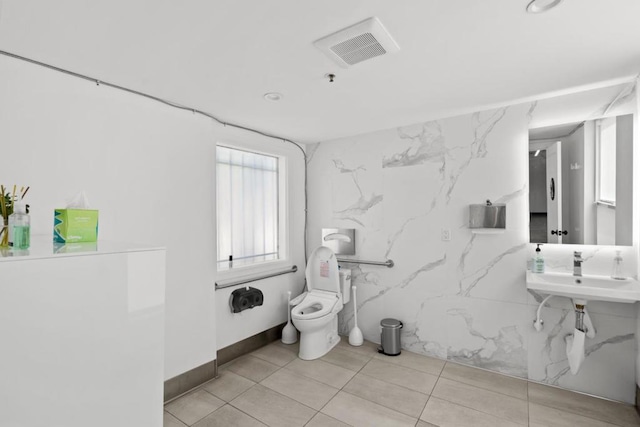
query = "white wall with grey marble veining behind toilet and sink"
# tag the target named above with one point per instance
(465, 299)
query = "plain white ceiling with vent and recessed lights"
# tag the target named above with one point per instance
(222, 56)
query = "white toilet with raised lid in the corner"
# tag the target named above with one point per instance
(316, 317)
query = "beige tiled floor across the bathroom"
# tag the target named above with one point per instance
(356, 386)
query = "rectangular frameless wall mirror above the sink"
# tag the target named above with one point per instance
(581, 182)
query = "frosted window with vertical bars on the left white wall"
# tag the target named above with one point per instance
(247, 207)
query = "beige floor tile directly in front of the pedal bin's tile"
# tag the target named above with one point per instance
(399, 375)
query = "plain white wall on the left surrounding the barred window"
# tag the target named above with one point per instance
(149, 169)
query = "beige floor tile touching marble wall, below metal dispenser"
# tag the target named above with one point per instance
(488, 380)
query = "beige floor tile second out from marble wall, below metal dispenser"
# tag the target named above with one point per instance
(489, 402)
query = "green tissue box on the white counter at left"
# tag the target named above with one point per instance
(75, 225)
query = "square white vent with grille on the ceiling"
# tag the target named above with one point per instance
(357, 43)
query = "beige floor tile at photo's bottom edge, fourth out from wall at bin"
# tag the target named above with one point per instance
(357, 412)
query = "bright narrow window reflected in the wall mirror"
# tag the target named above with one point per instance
(606, 161)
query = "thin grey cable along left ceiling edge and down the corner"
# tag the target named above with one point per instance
(173, 104)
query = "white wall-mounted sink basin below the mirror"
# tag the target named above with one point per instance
(590, 288)
